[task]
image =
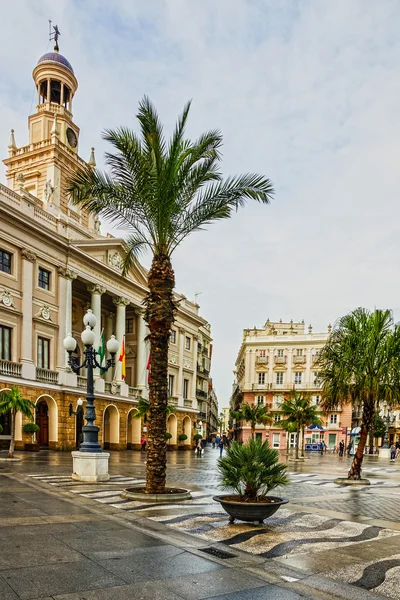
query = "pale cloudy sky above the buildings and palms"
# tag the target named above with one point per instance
(305, 92)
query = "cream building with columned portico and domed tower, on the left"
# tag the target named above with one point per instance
(54, 264)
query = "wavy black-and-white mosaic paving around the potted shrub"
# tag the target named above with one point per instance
(288, 534)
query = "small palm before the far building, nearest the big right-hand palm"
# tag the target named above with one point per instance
(299, 411)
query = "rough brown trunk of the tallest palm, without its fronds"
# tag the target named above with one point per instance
(159, 315)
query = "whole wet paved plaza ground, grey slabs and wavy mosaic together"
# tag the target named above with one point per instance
(73, 541)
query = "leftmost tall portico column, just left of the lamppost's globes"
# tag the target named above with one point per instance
(66, 277)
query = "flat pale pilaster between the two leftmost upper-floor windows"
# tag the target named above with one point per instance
(28, 368)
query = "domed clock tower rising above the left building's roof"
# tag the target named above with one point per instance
(46, 163)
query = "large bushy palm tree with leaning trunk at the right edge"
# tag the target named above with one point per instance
(360, 363)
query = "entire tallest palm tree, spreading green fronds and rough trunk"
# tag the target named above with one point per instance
(160, 192)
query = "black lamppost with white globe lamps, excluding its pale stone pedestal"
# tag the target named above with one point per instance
(90, 430)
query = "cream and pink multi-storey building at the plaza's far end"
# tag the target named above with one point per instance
(271, 363)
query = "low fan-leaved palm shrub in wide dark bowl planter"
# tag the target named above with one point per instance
(251, 470)
